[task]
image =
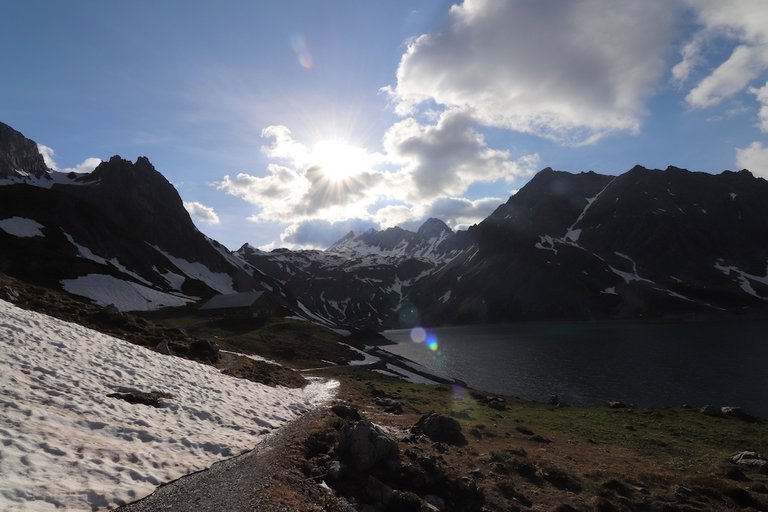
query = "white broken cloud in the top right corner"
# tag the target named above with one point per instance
(744, 23)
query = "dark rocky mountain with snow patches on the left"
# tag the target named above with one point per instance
(119, 235)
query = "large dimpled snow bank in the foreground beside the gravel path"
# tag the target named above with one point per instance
(64, 444)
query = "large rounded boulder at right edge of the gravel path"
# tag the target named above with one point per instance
(365, 445)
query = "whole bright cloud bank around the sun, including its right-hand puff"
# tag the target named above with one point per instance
(338, 182)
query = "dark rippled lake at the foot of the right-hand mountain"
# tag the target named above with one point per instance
(651, 365)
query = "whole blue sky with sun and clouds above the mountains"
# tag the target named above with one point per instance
(288, 124)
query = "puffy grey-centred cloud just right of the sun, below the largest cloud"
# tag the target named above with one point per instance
(448, 157)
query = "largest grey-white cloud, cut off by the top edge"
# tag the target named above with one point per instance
(569, 71)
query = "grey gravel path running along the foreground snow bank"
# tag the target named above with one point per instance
(255, 480)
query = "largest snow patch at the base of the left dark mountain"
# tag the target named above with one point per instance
(125, 295)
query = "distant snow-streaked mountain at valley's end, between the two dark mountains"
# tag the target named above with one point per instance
(363, 279)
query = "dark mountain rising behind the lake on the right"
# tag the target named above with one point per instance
(645, 244)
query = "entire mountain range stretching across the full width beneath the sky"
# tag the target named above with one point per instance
(646, 244)
